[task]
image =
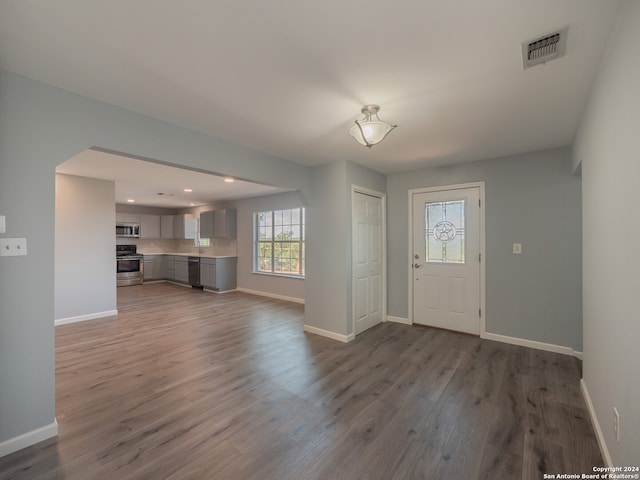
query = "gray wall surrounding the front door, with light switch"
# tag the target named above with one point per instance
(531, 199)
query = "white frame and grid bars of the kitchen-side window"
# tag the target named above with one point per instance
(272, 241)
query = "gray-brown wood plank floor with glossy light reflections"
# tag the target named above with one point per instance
(190, 385)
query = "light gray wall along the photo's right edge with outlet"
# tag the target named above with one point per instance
(608, 147)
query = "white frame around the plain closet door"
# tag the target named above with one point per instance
(383, 245)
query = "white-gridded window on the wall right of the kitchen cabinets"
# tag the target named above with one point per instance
(279, 242)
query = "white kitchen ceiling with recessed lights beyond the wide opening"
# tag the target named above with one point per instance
(156, 185)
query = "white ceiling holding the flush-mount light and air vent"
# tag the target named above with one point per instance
(288, 77)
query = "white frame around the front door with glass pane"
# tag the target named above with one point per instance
(483, 257)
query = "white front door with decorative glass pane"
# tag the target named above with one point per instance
(446, 259)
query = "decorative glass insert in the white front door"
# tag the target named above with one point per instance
(444, 225)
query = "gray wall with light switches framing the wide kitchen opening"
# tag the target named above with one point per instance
(41, 127)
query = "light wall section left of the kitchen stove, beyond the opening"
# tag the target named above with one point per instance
(85, 280)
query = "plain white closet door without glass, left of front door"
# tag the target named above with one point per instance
(367, 261)
